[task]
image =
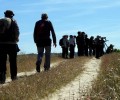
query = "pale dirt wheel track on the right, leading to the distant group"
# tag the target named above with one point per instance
(78, 88)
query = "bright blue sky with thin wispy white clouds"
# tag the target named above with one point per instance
(94, 17)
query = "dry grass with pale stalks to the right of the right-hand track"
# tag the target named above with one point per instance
(107, 85)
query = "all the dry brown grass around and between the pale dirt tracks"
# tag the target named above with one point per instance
(38, 86)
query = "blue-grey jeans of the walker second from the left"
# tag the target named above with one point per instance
(40, 56)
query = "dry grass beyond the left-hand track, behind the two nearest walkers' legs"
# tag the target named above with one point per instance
(26, 63)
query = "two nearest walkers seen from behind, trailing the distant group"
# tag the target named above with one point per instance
(9, 37)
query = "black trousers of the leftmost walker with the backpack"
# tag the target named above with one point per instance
(8, 50)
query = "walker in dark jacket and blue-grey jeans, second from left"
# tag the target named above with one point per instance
(41, 35)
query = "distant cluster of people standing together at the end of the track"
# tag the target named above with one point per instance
(93, 46)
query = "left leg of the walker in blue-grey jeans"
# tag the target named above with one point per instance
(39, 58)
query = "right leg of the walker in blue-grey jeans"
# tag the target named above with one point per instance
(47, 58)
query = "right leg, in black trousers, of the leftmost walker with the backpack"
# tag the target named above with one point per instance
(13, 61)
